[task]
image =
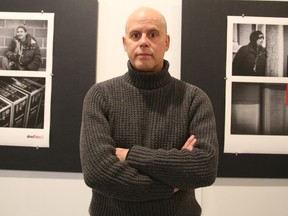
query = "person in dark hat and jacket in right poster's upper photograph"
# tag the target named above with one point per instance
(250, 60)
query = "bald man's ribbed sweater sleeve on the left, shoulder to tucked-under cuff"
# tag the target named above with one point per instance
(102, 170)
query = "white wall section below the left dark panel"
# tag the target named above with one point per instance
(28, 193)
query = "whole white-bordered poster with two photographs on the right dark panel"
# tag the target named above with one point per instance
(256, 110)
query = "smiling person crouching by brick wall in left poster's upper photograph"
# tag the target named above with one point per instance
(23, 52)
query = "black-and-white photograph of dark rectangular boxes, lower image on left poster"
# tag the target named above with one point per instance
(22, 102)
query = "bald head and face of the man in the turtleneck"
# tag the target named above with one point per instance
(146, 41)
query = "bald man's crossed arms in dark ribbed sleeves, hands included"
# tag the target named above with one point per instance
(146, 173)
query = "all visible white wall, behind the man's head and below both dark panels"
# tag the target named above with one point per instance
(29, 193)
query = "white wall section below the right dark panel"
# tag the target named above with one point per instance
(246, 197)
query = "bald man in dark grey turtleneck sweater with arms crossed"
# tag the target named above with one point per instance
(147, 139)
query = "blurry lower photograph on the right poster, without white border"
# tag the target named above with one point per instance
(259, 109)
